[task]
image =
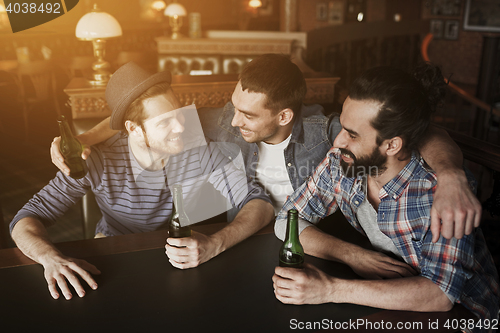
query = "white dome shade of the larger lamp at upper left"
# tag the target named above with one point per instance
(97, 24)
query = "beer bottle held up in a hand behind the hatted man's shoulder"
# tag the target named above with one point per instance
(71, 149)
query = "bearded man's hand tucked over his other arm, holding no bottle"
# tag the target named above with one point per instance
(374, 265)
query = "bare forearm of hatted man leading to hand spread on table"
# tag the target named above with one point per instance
(32, 239)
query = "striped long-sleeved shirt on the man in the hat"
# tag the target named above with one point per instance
(134, 200)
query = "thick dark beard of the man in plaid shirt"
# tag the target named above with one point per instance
(373, 164)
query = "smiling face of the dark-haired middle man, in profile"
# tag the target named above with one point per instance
(255, 121)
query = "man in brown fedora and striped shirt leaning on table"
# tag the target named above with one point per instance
(130, 175)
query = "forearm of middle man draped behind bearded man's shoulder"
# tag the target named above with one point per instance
(441, 152)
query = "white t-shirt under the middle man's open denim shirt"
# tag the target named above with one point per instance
(272, 173)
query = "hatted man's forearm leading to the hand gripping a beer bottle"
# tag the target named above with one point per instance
(255, 215)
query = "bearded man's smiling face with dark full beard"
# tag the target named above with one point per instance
(357, 140)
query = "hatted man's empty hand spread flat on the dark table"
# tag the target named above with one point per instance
(59, 270)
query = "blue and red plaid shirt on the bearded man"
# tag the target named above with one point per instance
(462, 268)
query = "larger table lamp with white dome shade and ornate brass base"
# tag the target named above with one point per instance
(97, 26)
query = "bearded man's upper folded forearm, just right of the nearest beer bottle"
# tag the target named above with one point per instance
(322, 245)
